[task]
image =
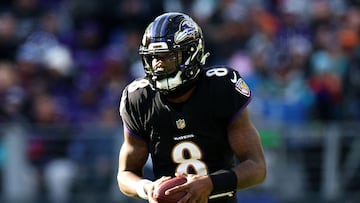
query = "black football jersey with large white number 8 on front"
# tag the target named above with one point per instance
(189, 137)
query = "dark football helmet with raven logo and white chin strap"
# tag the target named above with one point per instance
(177, 38)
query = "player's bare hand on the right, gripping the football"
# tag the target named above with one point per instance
(198, 188)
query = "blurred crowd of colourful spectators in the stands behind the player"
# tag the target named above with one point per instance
(65, 62)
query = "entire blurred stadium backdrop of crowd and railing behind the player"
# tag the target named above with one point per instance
(63, 64)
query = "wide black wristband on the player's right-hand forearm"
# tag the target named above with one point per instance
(223, 181)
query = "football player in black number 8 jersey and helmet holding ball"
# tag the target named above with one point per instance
(191, 119)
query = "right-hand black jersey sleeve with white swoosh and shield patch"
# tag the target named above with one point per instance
(231, 93)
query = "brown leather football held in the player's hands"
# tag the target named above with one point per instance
(159, 192)
